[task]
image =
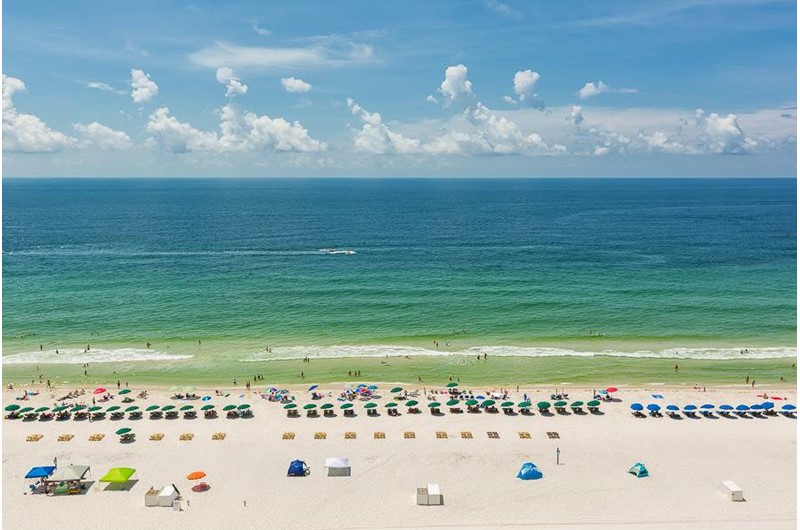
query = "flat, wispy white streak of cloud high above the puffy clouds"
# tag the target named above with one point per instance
(318, 54)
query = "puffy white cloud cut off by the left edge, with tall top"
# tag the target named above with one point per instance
(26, 133)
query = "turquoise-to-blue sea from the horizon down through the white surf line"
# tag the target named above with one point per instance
(658, 267)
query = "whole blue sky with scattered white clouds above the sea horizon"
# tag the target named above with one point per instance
(409, 88)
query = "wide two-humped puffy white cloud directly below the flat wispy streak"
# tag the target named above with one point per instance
(238, 132)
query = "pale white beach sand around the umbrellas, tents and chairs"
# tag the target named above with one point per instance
(687, 460)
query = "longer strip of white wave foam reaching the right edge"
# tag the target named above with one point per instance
(340, 351)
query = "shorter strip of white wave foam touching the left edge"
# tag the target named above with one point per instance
(98, 355)
